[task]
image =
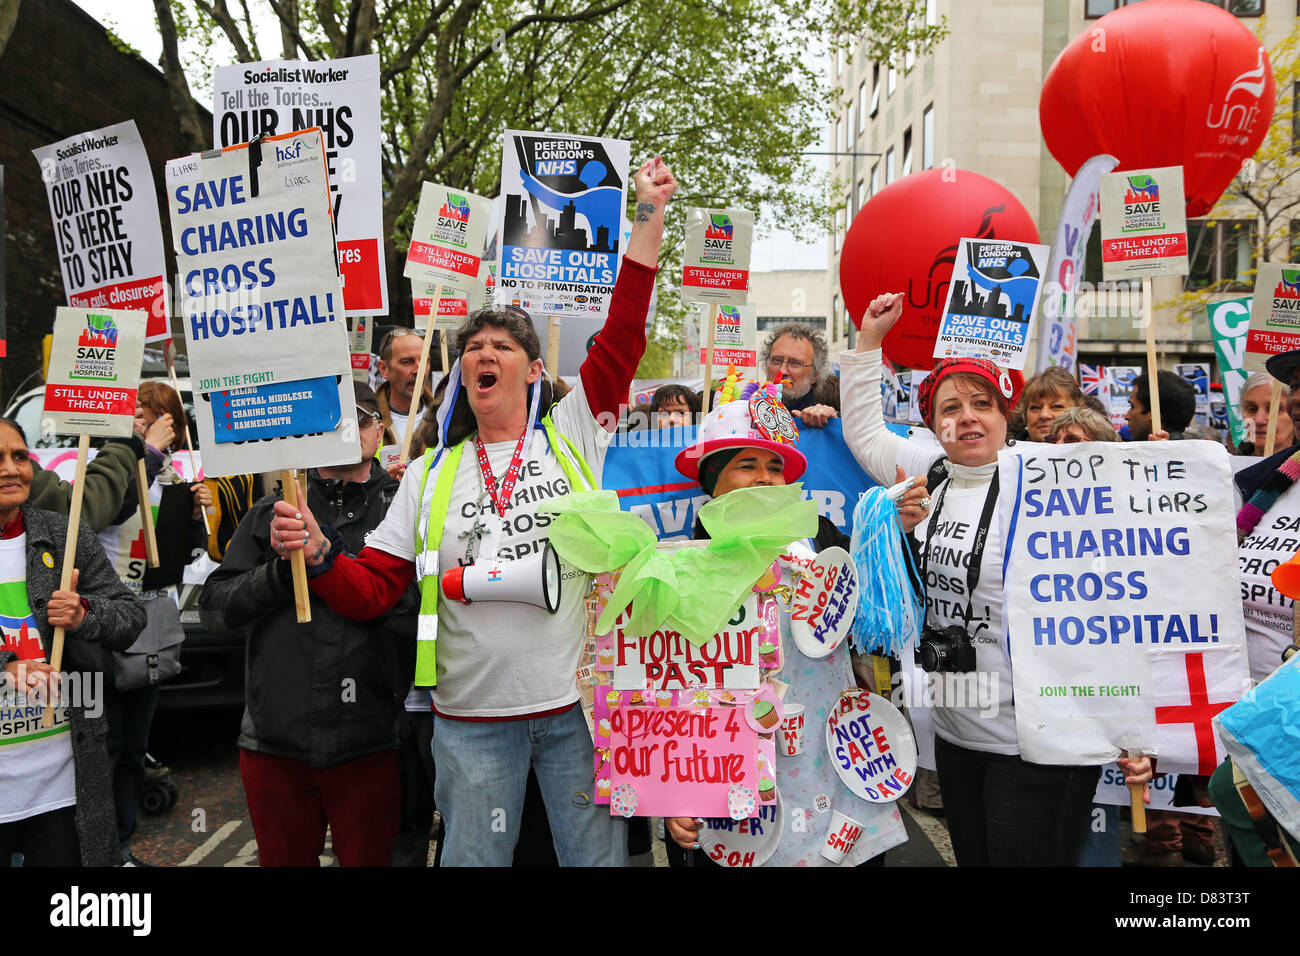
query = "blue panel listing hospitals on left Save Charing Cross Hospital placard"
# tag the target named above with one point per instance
(276, 412)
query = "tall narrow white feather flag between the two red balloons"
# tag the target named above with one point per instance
(1059, 341)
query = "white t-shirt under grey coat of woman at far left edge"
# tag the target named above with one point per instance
(36, 764)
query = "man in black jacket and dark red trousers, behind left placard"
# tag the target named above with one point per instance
(319, 742)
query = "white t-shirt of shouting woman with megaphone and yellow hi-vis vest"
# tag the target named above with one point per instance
(502, 659)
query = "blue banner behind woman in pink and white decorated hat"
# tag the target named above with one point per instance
(640, 469)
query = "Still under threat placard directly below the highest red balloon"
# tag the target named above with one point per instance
(1143, 224)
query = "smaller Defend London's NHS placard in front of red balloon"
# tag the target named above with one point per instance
(991, 302)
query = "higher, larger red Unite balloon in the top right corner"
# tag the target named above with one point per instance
(1162, 84)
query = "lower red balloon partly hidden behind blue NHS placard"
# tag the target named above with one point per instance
(905, 240)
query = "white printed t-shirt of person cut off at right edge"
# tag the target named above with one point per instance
(1267, 612)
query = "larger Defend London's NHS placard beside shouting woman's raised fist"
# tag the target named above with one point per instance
(565, 198)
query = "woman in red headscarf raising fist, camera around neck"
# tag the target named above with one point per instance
(1002, 811)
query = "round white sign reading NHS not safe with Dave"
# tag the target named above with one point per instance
(872, 747)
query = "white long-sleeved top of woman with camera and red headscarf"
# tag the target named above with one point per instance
(879, 452)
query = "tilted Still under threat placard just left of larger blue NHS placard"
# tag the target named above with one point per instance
(448, 237)
